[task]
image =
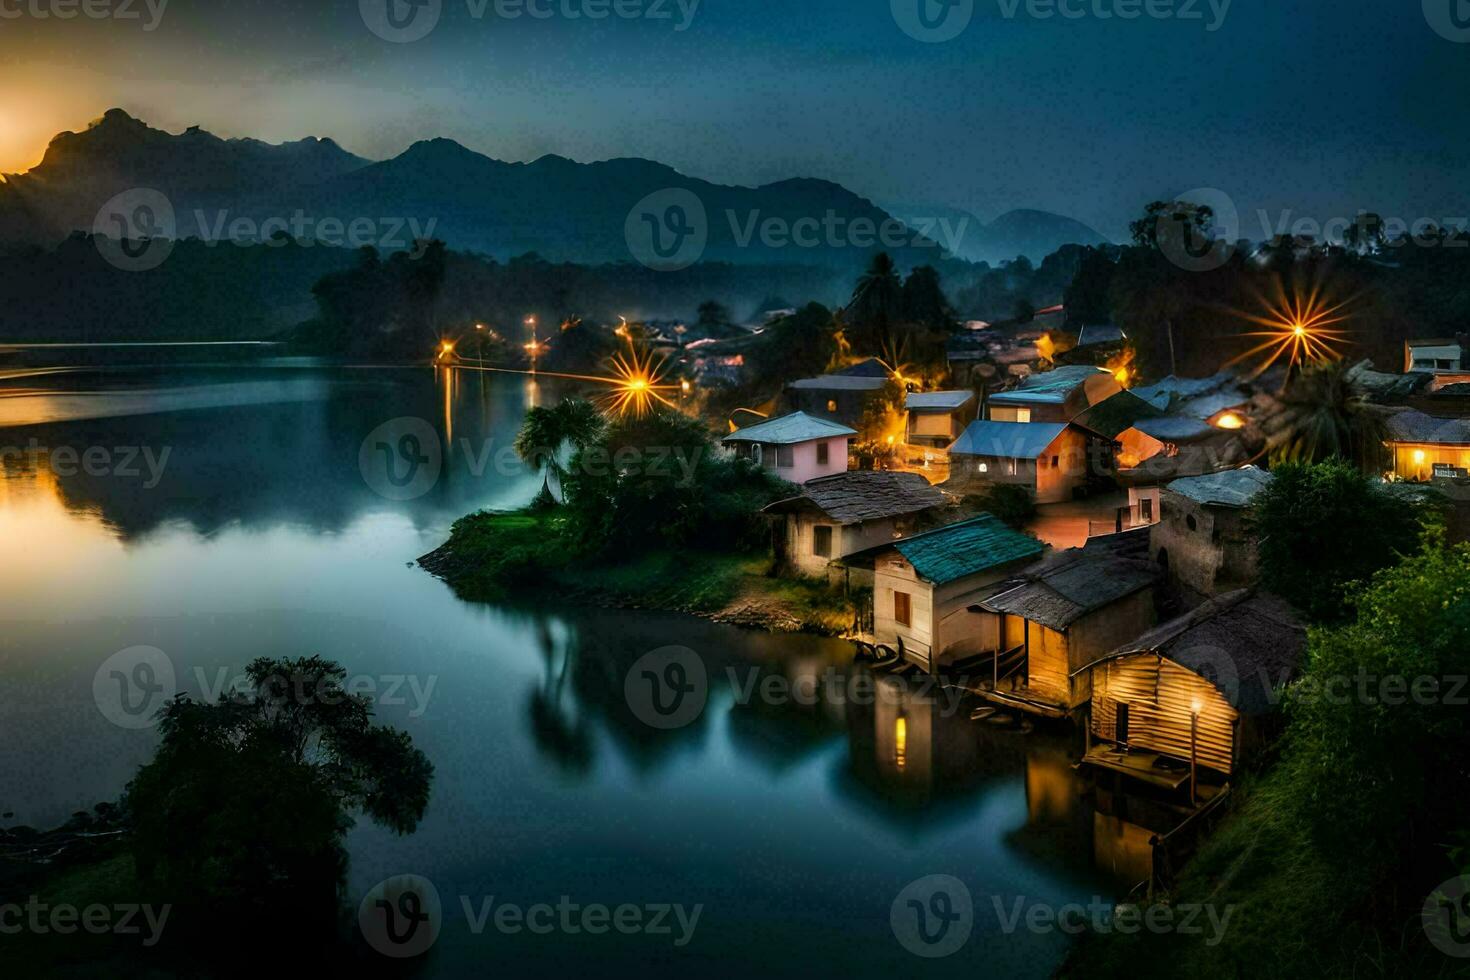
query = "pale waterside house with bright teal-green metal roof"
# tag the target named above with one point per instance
(925, 584)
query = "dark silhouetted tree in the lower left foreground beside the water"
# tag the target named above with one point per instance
(242, 815)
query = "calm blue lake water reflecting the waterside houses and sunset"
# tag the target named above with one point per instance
(796, 826)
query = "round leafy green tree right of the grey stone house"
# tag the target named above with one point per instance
(1302, 521)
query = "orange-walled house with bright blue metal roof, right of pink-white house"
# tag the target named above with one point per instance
(1052, 459)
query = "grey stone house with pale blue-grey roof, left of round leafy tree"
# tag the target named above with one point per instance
(1202, 538)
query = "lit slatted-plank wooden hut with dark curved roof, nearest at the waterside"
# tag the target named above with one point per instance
(1200, 690)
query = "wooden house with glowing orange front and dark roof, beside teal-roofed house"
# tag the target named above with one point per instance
(1062, 615)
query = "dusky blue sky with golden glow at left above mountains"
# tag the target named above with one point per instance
(1308, 105)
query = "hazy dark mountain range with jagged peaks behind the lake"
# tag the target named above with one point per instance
(562, 209)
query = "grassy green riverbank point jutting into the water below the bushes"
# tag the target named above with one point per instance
(493, 558)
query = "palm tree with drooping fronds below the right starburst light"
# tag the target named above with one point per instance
(1325, 414)
